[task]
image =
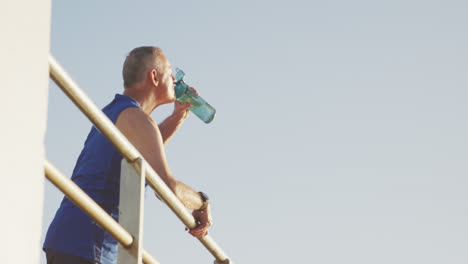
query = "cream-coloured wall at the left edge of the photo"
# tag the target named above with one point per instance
(24, 48)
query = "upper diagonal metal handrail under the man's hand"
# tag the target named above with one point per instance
(129, 152)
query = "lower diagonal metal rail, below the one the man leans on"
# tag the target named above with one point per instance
(91, 208)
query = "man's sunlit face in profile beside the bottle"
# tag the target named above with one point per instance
(165, 88)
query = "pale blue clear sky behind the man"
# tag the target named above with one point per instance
(341, 126)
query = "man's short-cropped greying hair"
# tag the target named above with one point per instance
(138, 61)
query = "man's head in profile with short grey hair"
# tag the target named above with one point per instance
(149, 68)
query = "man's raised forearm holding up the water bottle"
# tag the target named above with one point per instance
(170, 125)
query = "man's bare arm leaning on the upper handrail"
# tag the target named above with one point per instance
(144, 134)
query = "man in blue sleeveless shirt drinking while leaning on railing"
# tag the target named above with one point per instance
(72, 236)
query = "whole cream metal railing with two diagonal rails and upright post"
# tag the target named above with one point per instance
(135, 168)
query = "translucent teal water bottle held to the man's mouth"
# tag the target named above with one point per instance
(184, 94)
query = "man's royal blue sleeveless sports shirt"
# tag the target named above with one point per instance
(97, 172)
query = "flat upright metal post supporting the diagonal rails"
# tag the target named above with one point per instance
(132, 190)
